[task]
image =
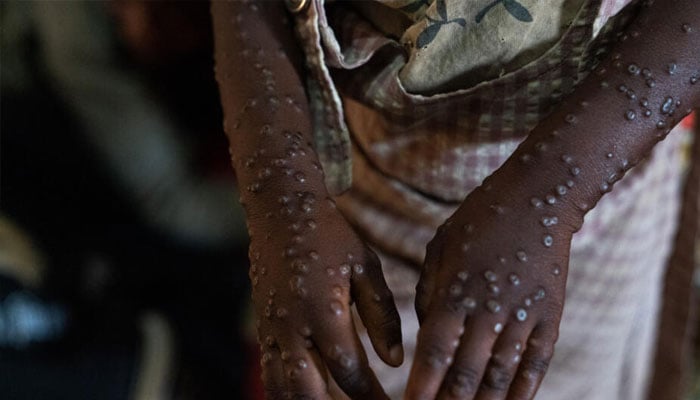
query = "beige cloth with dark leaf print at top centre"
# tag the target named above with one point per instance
(456, 44)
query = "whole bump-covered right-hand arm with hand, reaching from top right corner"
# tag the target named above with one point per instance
(492, 290)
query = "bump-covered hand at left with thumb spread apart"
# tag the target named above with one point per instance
(306, 273)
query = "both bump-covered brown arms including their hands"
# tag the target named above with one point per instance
(516, 227)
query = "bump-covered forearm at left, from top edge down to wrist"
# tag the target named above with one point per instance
(258, 68)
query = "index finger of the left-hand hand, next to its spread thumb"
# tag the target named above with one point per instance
(345, 358)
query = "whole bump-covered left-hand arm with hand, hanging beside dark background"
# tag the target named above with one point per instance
(307, 264)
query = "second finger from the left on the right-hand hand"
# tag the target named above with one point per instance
(465, 374)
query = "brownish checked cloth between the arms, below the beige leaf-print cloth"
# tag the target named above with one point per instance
(416, 157)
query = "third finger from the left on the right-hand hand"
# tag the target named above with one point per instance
(505, 359)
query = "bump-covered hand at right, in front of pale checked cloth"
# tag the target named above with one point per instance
(490, 300)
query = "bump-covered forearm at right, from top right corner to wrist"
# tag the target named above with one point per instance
(614, 119)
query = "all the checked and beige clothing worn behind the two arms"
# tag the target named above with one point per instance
(416, 154)
